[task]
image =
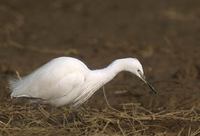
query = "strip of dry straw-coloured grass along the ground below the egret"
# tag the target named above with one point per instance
(132, 119)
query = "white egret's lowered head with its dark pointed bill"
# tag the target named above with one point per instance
(134, 66)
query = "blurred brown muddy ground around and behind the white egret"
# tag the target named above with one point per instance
(163, 35)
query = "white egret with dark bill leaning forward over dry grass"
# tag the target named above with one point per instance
(68, 81)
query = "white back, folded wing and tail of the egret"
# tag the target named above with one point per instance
(41, 83)
